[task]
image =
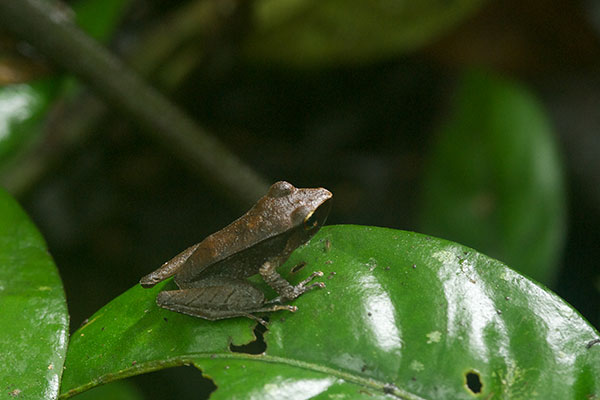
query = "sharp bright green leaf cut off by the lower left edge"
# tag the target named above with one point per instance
(33, 311)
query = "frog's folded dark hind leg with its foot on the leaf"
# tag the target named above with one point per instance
(219, 298)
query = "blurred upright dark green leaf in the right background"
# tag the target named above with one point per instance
(495, 180)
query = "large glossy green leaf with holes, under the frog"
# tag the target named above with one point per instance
(402, 314)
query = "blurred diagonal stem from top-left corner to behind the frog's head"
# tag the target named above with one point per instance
(47, 29)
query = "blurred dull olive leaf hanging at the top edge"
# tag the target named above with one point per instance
(318, 33)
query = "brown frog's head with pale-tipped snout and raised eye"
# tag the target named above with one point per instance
(303, 210)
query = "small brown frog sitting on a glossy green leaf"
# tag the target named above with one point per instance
(212, 275)
